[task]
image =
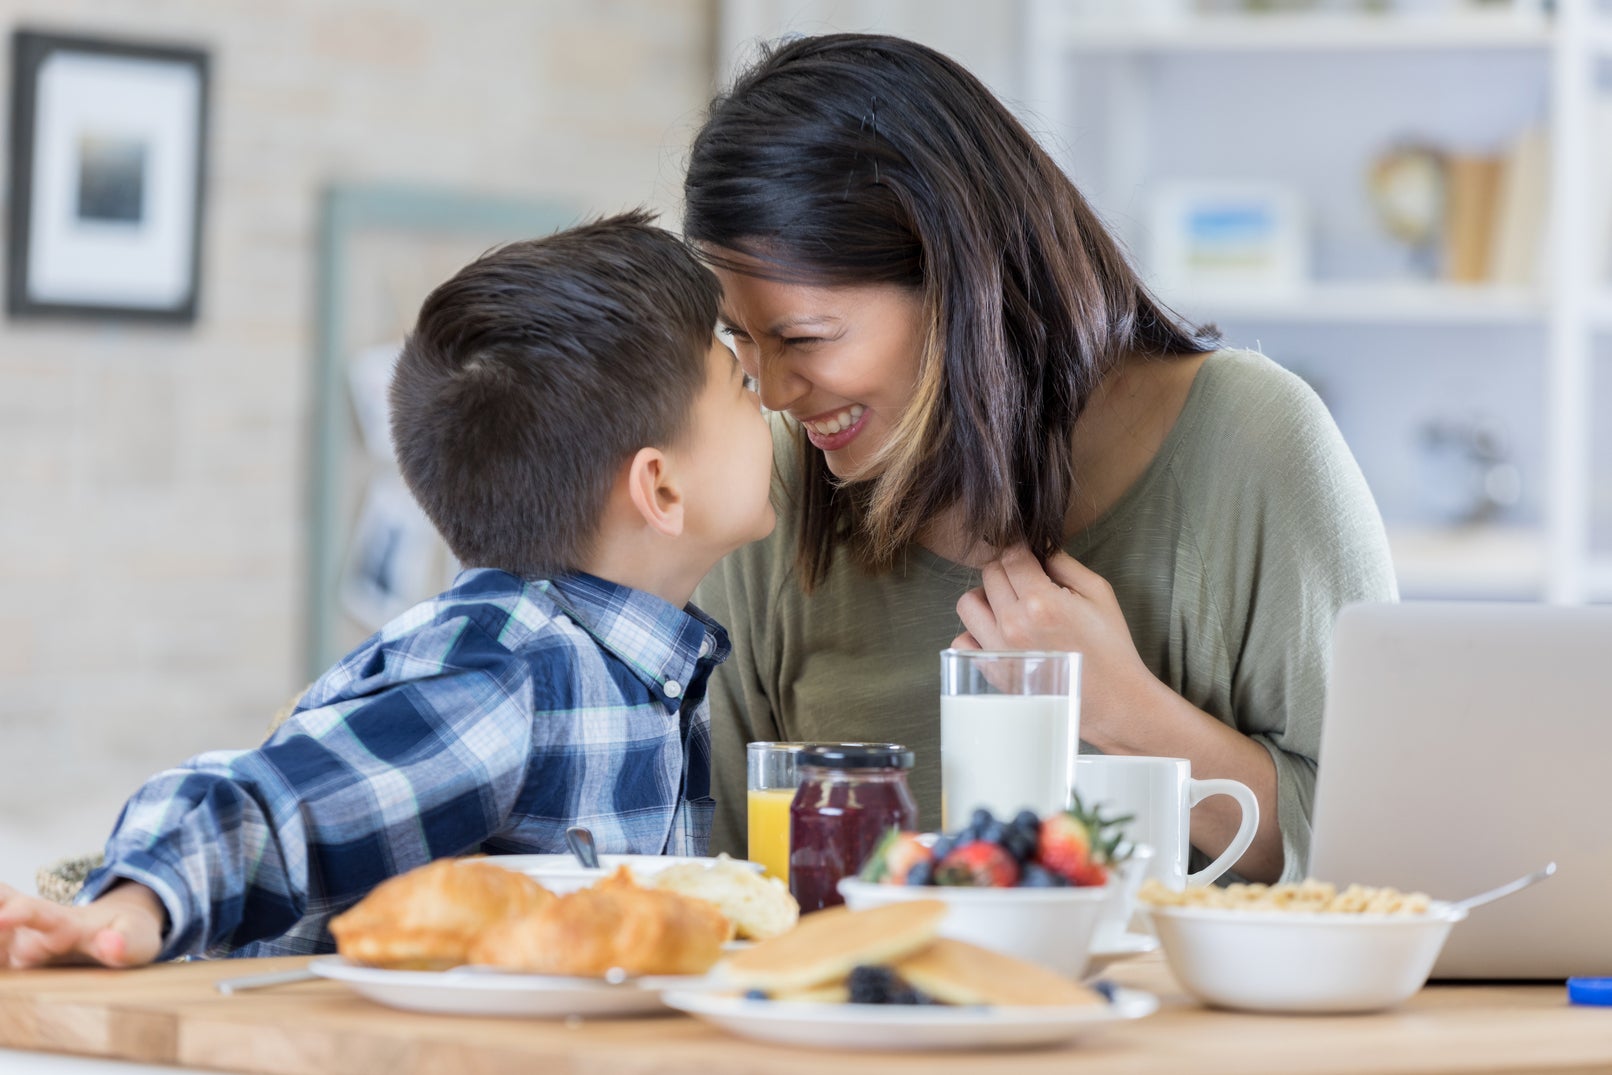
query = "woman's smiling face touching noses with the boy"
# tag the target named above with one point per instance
(844, 362)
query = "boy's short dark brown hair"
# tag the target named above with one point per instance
(536, 373)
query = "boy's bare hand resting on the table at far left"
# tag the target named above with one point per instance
(122, 929)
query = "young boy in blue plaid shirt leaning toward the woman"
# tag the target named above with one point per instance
(589, 450)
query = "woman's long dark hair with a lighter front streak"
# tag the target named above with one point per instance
(855, 159)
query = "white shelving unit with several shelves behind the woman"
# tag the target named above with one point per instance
(1552, 562)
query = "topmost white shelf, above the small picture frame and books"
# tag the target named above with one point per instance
(1308, 31)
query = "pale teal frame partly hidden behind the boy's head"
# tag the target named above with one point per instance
(383, 249)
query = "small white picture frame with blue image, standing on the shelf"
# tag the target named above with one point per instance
(1218, 239)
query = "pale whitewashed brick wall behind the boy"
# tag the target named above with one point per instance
(154, 481)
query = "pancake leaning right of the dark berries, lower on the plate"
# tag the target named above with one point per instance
(957, 973)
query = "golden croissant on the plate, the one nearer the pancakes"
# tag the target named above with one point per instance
(615, 924)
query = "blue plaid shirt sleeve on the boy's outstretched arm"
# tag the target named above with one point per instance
(247, 845)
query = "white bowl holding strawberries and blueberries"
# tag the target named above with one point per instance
(1047, 926)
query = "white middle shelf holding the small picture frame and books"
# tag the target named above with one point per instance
(1373, 304)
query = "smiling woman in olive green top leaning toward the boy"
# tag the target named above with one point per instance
(986, 421)
